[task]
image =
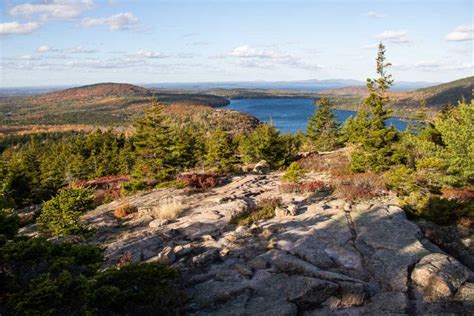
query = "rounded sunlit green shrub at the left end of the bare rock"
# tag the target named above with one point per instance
(61, 215)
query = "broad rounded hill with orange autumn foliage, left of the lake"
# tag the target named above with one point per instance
(97, 104)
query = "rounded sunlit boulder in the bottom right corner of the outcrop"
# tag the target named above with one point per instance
(439, 275)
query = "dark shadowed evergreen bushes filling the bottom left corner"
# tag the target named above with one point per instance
(41, 278)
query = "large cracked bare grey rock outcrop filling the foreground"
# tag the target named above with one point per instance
(321, 256)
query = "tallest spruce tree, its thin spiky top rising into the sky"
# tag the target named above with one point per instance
(376, 152)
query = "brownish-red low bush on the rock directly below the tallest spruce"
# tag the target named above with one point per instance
(359, 186)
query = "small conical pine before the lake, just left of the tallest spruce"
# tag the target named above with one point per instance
(322, 127)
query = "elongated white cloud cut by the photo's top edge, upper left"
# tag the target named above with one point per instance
(59, 9)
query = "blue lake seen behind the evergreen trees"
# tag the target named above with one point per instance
(291, 115)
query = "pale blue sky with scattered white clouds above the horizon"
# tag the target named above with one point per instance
(63, 42)
